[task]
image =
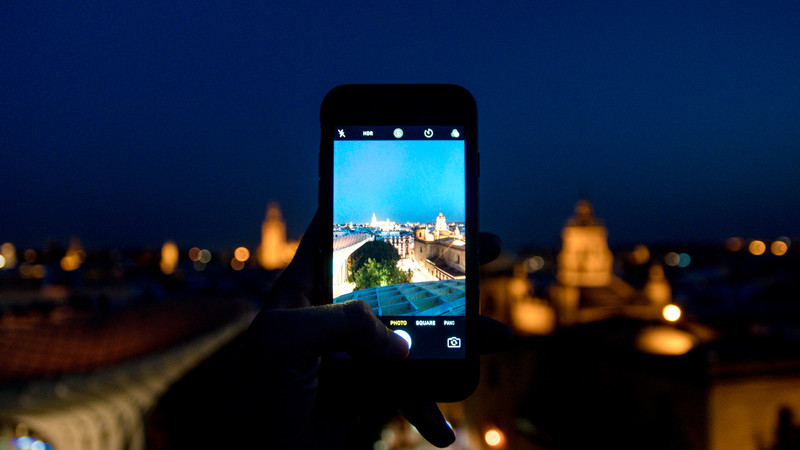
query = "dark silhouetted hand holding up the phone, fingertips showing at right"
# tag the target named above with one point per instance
(280, 361)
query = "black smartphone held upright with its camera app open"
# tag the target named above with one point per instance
(398, 206)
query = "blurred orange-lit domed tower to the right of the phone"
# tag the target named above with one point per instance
(585, 259)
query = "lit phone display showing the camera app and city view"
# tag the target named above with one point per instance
(399, 237)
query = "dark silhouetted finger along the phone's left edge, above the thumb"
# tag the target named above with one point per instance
(298, 285)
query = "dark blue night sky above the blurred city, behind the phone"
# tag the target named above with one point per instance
(128, 124)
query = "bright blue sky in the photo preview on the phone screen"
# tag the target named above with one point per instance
(405, 181)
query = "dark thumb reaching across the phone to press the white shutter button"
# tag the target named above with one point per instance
(301, 334)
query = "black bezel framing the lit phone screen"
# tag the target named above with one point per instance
(360, 105)
